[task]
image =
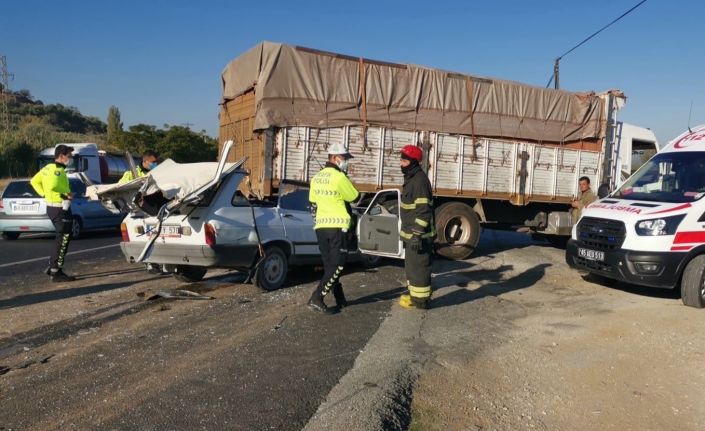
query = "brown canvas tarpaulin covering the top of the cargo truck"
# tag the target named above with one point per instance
(297, 86)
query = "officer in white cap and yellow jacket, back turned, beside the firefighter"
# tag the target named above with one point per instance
(330, 195)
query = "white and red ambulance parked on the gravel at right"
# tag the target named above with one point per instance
(651, 230)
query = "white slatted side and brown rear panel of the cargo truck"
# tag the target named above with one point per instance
(458, 165)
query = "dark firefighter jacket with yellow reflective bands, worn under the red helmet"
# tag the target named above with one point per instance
(416, 210)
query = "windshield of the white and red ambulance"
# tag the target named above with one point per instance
(667, 177)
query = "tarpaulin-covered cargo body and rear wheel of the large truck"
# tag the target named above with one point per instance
(497, 152)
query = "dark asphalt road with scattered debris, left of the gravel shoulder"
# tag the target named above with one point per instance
(98, 354)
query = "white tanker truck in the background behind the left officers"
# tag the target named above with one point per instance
(97, 165)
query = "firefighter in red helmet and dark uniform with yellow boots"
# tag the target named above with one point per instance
(417, 228)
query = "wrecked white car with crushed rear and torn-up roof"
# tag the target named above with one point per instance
(192, 217)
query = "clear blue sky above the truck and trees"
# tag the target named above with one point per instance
(160, 61)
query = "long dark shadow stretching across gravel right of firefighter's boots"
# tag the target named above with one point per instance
(520, 281)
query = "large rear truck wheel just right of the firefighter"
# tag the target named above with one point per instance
(457, 229)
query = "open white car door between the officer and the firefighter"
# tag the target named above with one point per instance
(378, 229)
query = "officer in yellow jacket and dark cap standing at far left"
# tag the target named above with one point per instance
(52, 184)
